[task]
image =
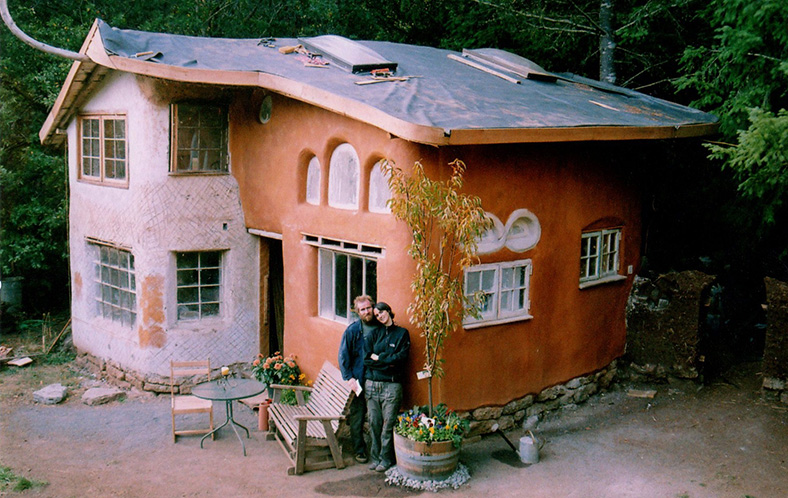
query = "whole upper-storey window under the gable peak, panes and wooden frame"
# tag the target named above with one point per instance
(102, 150)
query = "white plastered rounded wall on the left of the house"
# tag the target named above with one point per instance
(156, 216)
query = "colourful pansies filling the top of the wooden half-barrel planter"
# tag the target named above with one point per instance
(444, 425)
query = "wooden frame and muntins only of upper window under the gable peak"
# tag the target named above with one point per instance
(112, 151)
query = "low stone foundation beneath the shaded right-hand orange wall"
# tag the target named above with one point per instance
(529, 410)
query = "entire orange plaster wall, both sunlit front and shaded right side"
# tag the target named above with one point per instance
(568, 187)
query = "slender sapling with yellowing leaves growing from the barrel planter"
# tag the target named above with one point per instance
(446, 225)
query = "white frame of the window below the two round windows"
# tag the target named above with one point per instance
(496, 314)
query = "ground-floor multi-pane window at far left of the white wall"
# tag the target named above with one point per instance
(116, 295)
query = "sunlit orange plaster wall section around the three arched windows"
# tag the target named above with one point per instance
(271, 162)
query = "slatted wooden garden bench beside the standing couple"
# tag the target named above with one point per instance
(307, 432)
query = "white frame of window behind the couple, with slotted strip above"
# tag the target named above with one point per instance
(329, 251)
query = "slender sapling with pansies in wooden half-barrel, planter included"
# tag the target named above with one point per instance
(446, 226)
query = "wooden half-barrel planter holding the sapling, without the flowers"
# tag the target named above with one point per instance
(422, 461)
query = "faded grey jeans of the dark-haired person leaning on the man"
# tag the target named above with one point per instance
(383, 400)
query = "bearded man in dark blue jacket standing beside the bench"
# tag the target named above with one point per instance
(351, 364)
